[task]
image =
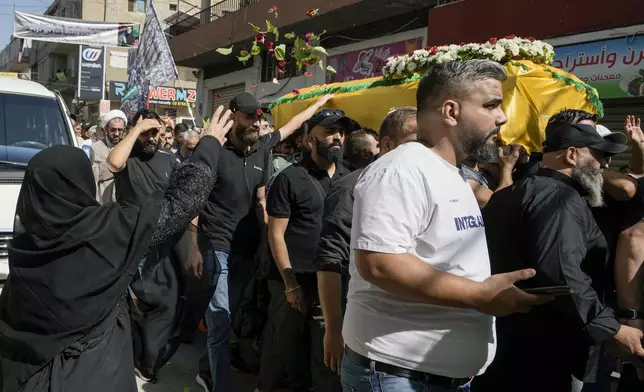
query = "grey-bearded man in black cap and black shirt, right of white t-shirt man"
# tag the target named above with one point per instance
(544, 222)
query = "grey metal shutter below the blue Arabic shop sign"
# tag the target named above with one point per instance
(615, 112)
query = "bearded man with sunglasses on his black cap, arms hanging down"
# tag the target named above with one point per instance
(294, 334)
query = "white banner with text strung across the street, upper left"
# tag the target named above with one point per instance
(75, 31)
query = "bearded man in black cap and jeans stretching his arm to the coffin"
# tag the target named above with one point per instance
(231, 222)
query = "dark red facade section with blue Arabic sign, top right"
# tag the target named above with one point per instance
(600, 42)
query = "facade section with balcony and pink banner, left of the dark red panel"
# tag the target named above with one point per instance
(360, 35)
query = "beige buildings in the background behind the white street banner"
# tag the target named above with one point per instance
(56, 65)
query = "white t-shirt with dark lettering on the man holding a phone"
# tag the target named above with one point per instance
(412, 201)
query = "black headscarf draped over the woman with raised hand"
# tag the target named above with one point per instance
(70, 260)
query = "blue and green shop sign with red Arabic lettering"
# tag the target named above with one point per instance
(614, 67)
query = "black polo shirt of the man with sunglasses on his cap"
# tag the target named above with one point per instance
(294, 195)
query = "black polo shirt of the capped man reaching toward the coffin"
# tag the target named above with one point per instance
(229, 219)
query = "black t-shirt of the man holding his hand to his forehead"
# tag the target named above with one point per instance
(143, 176)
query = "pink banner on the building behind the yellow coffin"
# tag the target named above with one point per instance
(368, 63)
